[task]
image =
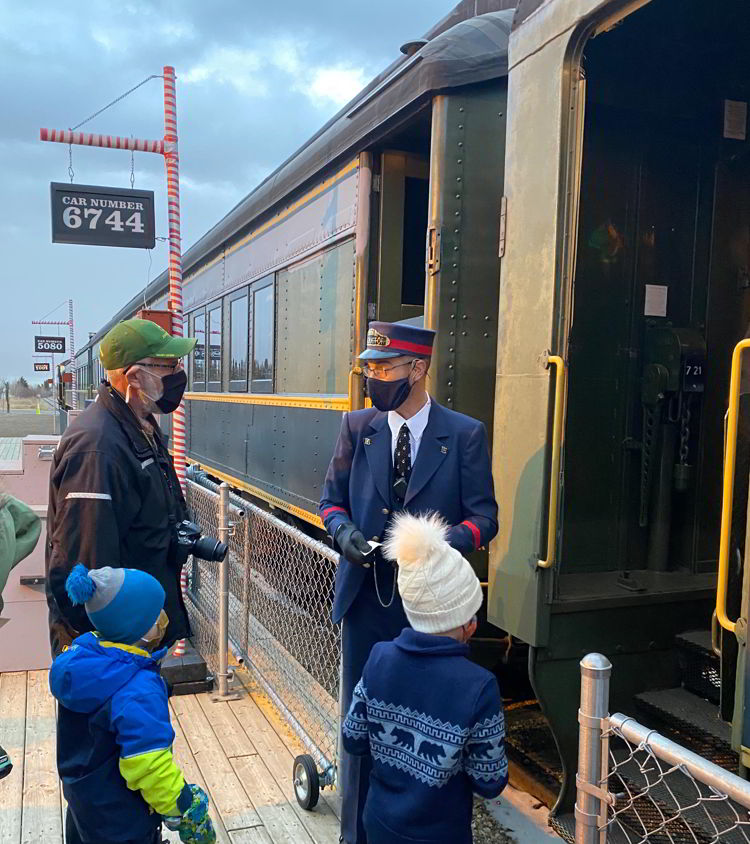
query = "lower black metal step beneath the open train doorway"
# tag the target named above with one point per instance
(690, 721)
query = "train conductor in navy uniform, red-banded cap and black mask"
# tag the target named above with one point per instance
(407, 452)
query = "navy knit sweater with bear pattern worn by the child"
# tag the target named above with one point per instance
(433, 723)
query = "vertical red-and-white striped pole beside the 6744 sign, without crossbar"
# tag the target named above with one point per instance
(172, 160)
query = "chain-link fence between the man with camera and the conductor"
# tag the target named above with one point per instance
(280, 596)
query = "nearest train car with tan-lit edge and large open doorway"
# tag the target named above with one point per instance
(626, 267)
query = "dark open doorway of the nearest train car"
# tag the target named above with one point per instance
(661, 296)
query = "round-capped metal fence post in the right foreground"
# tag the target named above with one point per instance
(595, 674)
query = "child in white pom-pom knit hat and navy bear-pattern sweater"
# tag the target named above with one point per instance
(430, 718)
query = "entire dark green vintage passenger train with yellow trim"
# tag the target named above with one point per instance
(562, 190)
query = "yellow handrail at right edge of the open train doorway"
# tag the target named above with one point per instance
(727, 499)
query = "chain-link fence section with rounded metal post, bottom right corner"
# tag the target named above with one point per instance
(634, 785)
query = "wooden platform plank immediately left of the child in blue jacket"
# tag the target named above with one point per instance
(41, 788)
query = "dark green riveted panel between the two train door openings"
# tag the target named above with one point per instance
(466, 188)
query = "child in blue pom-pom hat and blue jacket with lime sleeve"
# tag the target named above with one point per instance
(114, 736)
